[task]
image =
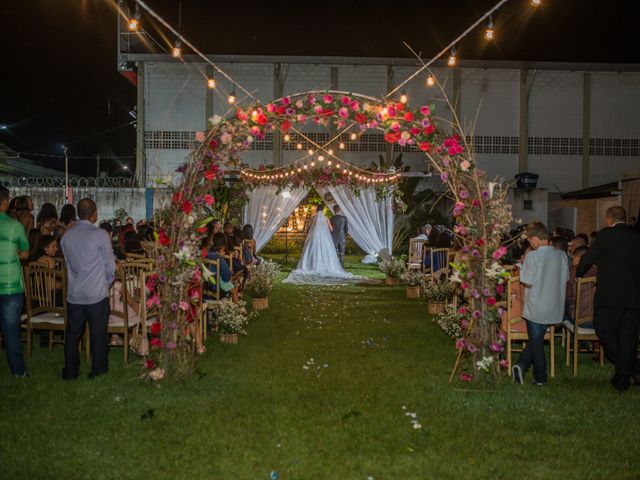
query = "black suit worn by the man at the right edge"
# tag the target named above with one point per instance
(616, 252)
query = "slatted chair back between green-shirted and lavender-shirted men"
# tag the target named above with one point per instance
(40, 290)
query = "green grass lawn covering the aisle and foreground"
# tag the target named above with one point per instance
(319, 389)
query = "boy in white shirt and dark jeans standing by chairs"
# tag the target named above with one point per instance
(544, 274)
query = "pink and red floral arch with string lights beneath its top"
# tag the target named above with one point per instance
(481, 214)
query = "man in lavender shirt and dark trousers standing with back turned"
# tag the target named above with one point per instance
(90, 271)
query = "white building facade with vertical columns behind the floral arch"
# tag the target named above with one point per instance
(522, 117)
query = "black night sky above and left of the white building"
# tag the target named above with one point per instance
(60, 84)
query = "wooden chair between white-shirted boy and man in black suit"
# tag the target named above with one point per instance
(583, 313)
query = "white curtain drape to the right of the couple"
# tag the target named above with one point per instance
(370, 220)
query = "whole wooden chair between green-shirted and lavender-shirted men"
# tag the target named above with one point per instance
(46, 310)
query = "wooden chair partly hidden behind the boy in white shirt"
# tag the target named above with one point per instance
(516, 328)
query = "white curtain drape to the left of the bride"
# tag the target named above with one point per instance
(266, 211)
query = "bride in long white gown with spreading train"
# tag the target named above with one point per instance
(319, 263)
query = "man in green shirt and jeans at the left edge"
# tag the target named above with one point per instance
(13, 247)
